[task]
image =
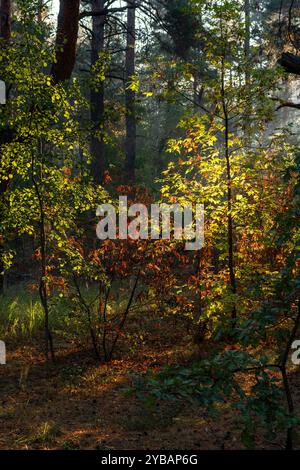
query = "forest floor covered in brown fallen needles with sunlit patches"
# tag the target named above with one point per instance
(79, 403)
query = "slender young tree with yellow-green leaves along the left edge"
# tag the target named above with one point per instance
(48, 157)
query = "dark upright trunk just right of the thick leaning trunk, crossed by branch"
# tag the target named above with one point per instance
(97, 96)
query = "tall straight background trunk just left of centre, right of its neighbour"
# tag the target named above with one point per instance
(130, 142)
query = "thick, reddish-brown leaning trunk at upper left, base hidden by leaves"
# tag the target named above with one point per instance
(66, 40)
